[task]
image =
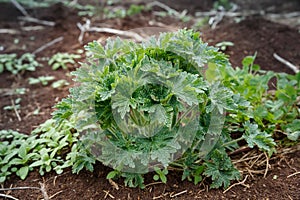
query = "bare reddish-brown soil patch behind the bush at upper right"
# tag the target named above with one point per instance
(261, 36)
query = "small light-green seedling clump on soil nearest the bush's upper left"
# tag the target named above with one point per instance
(61, 60)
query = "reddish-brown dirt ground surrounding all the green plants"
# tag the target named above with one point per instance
(252, 34)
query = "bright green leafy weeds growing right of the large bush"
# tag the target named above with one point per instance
(274, 111)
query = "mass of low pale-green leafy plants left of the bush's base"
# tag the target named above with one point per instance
(47, 148)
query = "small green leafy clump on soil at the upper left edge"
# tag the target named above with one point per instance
(15, 65)
